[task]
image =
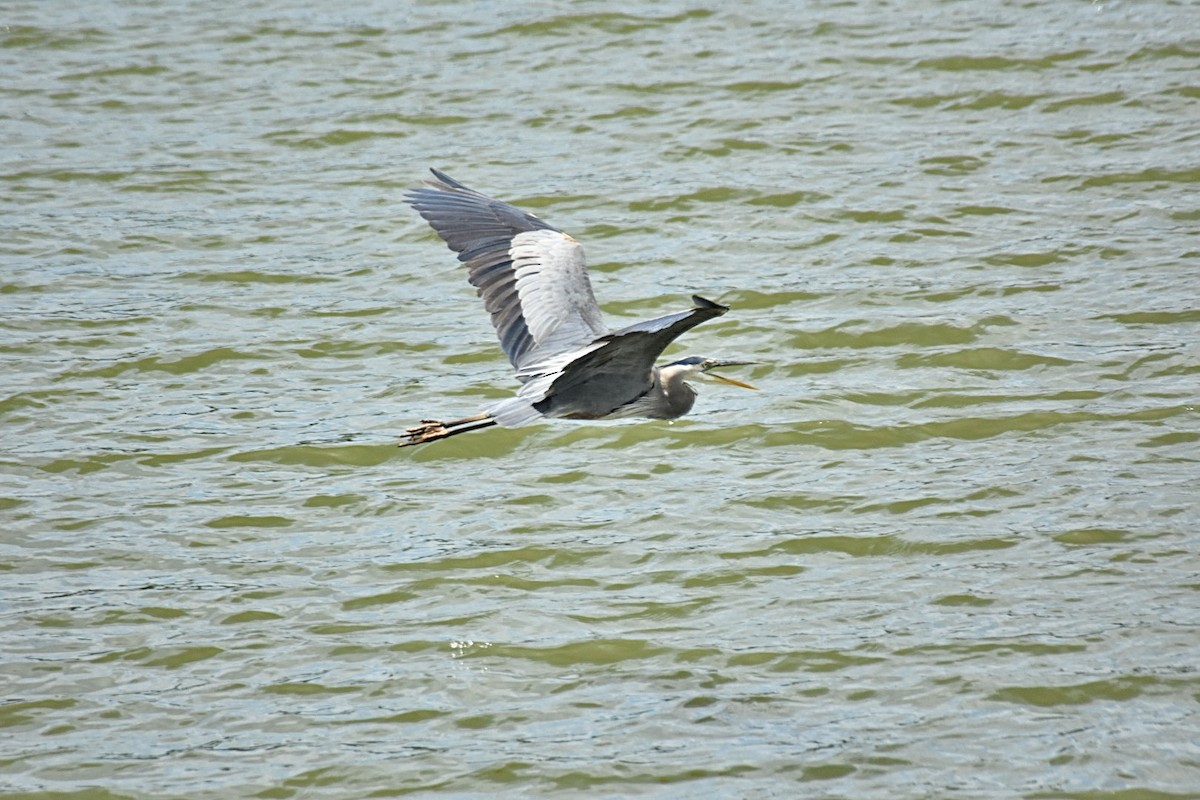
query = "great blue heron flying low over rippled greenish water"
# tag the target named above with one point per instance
(535, 282)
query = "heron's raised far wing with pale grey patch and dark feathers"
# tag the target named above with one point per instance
(533, 278)
